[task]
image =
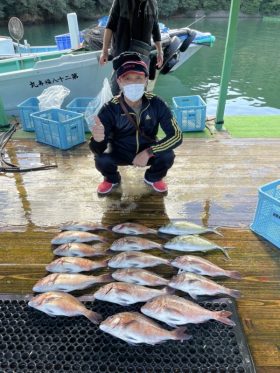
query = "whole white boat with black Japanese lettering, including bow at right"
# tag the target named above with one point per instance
(25, 76)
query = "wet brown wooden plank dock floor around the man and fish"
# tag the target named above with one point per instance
(212, 183)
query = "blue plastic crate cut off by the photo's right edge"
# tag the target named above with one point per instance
(267, 216)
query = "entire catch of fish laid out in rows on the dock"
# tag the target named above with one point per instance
(133, 282)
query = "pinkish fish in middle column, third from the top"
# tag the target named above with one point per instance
(135, 259)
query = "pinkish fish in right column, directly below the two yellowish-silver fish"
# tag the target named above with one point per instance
(195, 264)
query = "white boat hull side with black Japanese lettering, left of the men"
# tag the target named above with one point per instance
(80, 73)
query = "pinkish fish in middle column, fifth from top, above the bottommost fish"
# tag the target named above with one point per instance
(125, 294)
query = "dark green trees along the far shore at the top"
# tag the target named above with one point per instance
(55, 10)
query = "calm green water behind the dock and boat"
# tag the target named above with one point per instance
(255, 80)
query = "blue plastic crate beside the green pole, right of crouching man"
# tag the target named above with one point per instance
(190, 112)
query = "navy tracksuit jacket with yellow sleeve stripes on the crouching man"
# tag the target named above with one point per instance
(126, 139)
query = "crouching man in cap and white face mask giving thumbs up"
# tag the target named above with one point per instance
(130, 123)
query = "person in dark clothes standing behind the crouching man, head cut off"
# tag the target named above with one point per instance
(130, 27)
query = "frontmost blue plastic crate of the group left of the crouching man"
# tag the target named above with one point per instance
(60, 128)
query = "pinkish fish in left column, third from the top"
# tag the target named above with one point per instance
(80, 250)
